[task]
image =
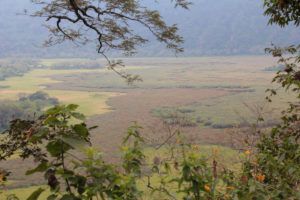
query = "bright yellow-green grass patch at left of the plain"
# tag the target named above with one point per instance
(91, 103)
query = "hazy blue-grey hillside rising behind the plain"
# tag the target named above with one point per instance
(226, 27)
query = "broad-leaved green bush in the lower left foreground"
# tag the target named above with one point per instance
(55, 141)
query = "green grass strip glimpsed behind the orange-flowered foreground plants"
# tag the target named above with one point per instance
(225, 157)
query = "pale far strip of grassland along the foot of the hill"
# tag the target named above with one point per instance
(184, 73)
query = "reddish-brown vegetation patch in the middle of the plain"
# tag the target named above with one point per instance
(136, 106)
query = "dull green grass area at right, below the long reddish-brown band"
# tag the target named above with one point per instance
(230, 110)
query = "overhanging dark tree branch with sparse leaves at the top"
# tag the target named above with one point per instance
(109, 24)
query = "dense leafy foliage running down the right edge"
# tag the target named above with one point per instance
(277, 162)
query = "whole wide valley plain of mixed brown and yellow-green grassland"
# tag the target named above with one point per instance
(211, 89)
